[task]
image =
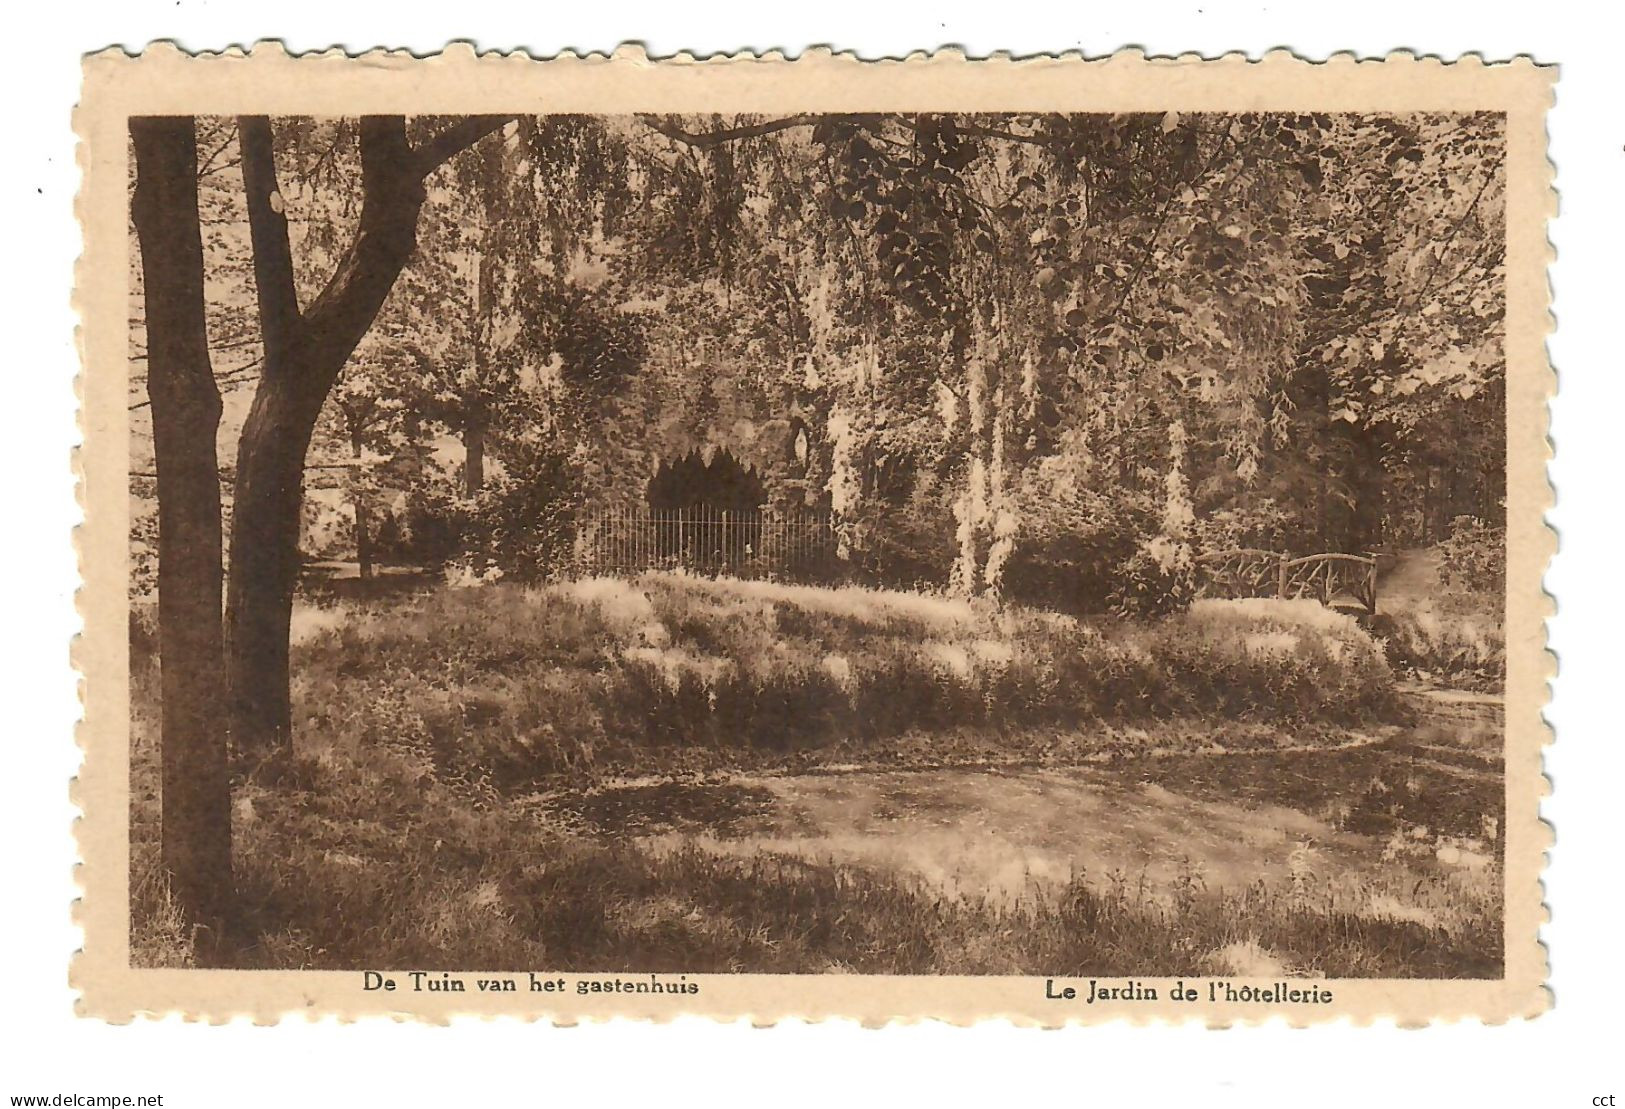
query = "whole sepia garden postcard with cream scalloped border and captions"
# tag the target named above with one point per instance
(1054, 539)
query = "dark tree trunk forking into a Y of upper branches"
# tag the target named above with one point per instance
(305, 354)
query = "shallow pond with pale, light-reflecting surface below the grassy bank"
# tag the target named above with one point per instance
(1221, 820)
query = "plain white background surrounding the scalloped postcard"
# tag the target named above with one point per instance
(1566, 1058)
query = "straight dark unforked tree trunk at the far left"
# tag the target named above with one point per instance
(196, 838)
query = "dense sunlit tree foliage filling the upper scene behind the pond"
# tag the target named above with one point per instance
(1036, 355)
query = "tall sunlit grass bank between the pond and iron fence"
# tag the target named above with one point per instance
(526, 685)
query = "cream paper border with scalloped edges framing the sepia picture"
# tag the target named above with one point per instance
(163, 80)
